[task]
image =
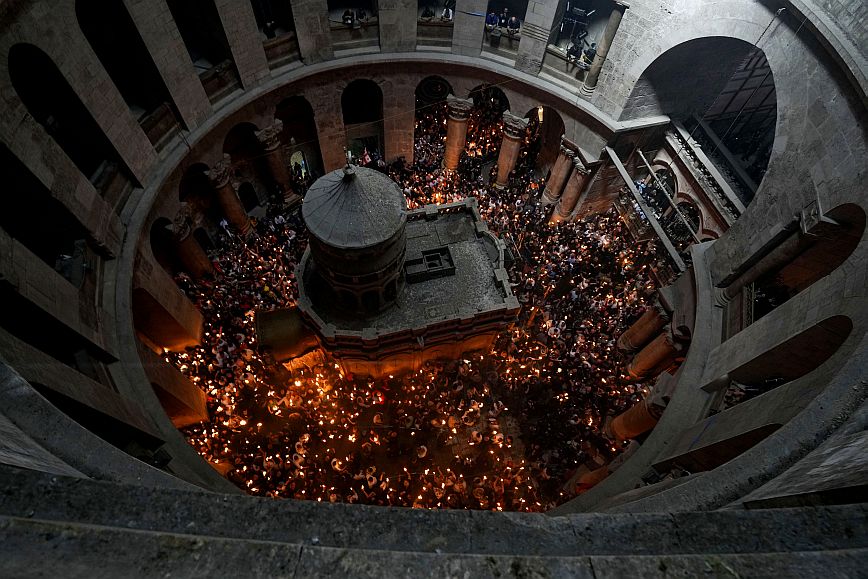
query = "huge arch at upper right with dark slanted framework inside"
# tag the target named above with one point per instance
(729, 106)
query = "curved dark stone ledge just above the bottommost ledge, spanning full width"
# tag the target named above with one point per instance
(30, 494)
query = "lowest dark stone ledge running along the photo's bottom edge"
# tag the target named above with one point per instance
(35, 548)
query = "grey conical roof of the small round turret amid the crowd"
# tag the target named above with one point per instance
(354, 207)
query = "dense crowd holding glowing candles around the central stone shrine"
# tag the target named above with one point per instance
(508, 429)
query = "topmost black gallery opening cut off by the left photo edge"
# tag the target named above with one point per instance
(39, 221)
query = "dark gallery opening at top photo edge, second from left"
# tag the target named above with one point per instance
(202, 32)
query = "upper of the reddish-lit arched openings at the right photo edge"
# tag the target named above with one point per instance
(818, 257)
